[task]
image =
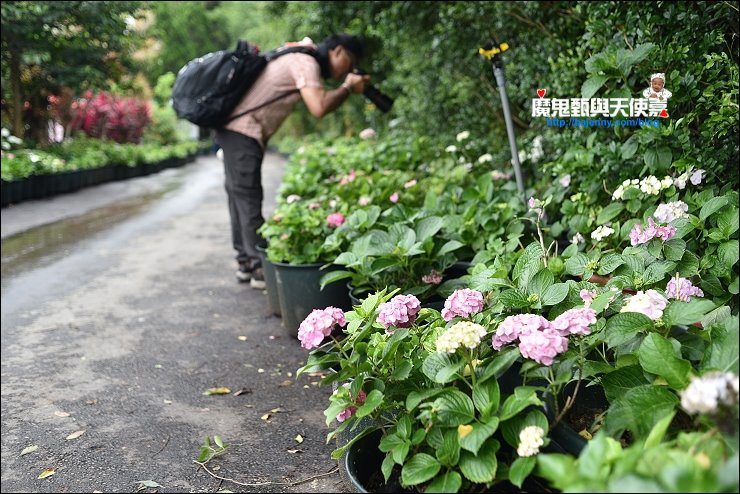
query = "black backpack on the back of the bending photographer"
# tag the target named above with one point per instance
(208, 88)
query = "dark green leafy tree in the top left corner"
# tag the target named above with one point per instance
(50, 45)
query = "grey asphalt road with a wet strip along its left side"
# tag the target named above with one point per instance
(119, 310)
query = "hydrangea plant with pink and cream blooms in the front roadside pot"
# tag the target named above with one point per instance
(452, 414)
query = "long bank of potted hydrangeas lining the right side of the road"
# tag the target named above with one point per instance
(614, 301)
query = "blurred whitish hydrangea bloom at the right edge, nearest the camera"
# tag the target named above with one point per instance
(706, 393)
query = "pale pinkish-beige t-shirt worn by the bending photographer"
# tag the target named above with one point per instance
(284, 74)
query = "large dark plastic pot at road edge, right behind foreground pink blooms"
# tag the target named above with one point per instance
(299, 290)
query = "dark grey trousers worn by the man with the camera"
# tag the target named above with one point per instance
(243, 166)
